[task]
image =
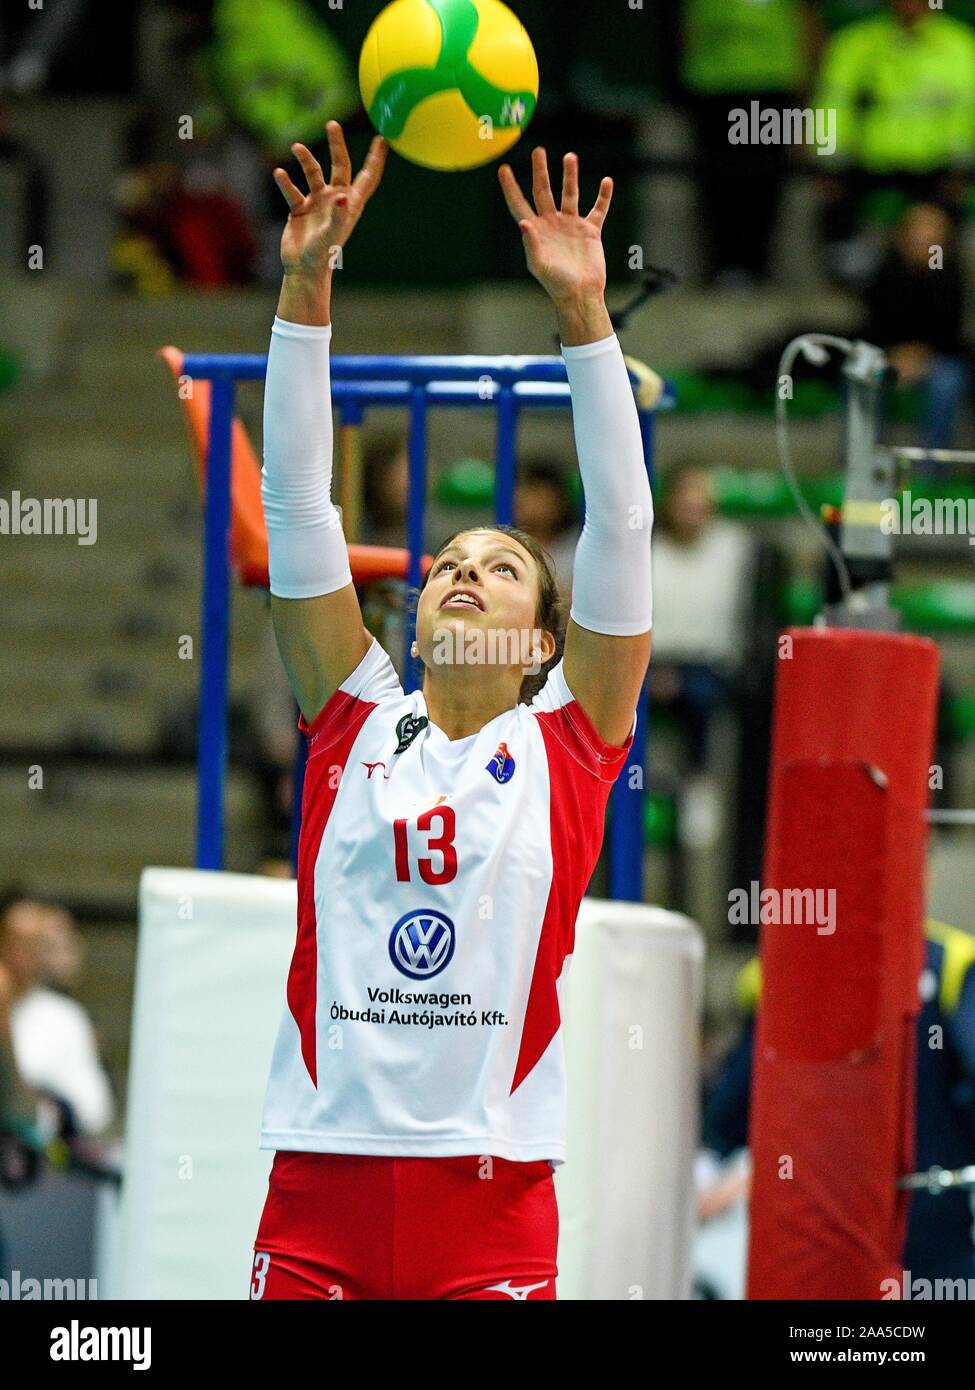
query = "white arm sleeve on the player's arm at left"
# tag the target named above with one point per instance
(307, 548)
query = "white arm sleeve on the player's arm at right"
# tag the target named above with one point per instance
(613, 586)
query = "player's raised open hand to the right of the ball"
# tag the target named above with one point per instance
(564, 250)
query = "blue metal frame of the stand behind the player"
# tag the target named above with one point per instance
(507, 384)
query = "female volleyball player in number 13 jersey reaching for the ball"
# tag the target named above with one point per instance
(417, 1099)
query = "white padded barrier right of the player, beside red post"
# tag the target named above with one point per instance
(627, 1193)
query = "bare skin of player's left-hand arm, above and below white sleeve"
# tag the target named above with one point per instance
(322, 639)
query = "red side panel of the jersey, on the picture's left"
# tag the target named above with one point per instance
(333, 732)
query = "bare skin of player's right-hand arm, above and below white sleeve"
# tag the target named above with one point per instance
(565, 255)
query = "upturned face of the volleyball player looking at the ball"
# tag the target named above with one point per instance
(483, 583)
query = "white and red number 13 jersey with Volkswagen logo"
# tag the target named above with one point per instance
(439, 886)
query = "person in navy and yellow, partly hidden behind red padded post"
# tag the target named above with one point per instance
(940, 1231)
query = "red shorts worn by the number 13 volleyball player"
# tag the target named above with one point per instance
(360, 1227)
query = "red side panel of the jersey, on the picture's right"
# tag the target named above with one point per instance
(582, 769)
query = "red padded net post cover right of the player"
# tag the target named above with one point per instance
(832, 1107)
